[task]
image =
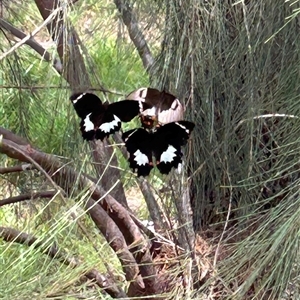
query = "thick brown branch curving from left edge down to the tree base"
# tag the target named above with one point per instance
(65, 176)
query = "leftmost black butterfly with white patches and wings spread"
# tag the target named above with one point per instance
(99, 120)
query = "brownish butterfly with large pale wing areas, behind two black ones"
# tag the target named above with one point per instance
(163, 107)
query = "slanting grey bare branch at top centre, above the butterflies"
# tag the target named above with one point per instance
(135, 33)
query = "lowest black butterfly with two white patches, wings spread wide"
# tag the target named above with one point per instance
(164, 144)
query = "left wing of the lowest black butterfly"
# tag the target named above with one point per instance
(139, 144)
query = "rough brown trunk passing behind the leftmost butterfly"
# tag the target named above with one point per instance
(76, 74)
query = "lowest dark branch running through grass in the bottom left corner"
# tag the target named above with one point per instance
(15, 236)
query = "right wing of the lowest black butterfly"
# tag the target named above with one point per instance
(168, 140)
